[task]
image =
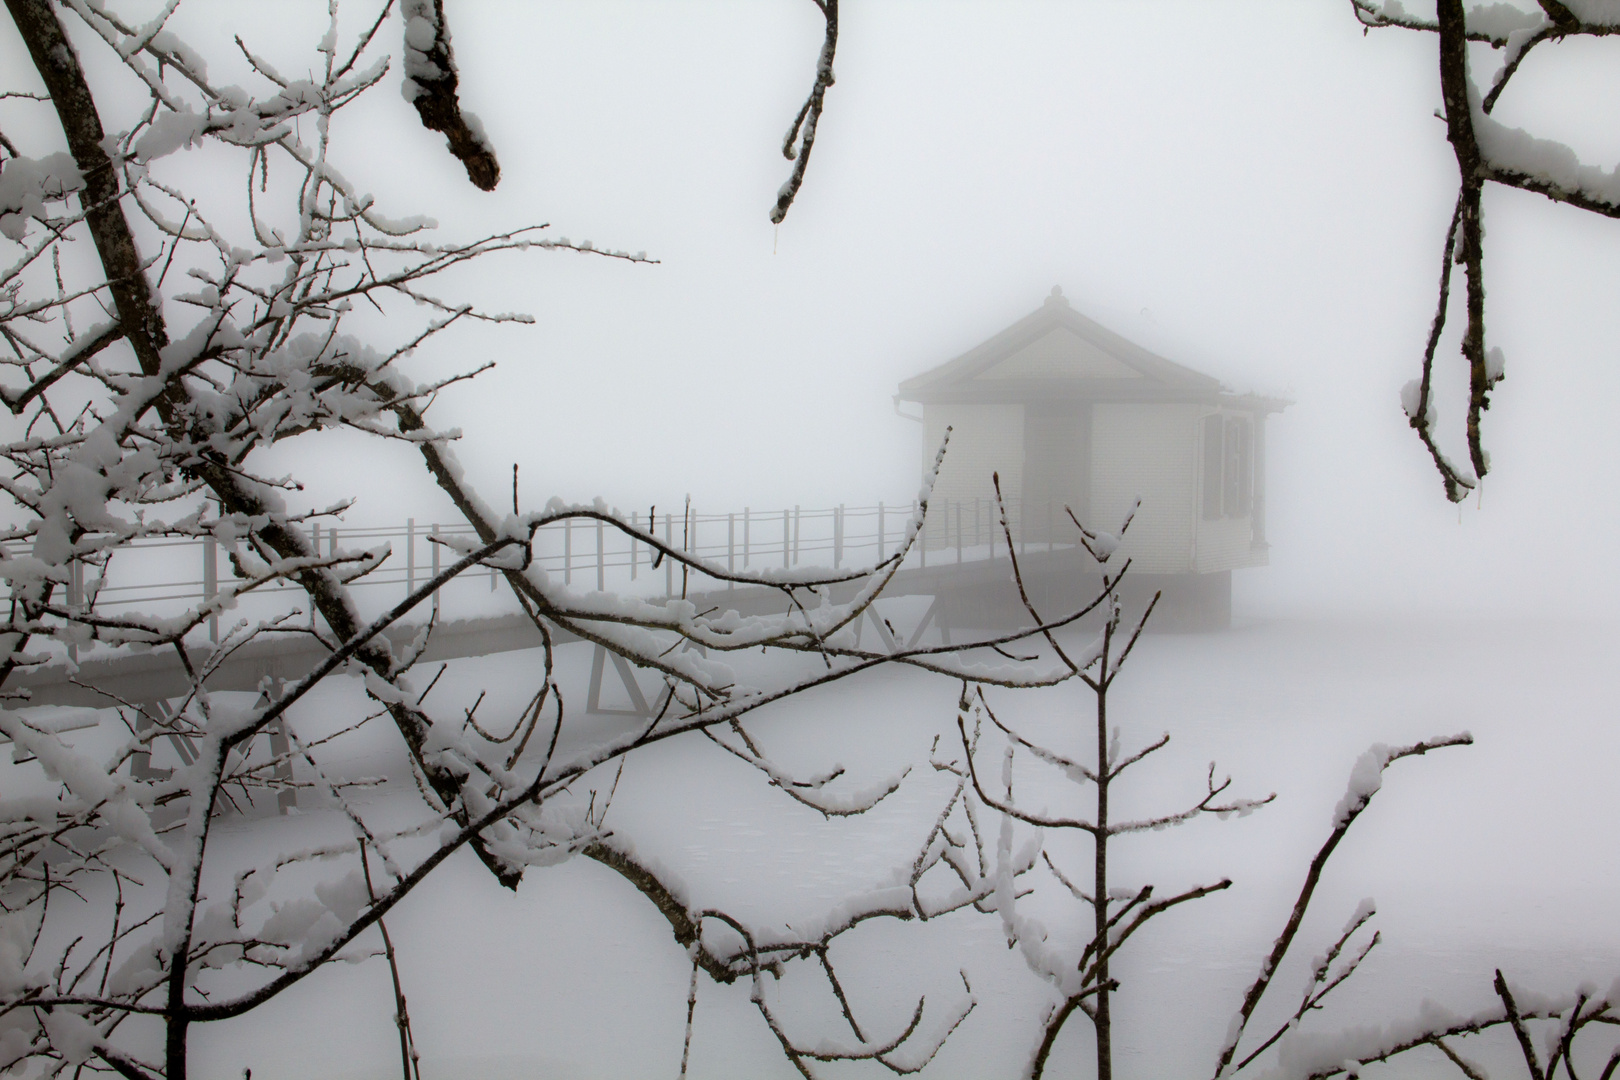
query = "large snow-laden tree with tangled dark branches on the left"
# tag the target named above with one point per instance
(163, 341)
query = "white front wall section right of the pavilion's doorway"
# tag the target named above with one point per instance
(1149, 453)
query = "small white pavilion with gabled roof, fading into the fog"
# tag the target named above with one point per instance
(1076, 417)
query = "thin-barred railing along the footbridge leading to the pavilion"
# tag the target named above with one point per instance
(169, 576)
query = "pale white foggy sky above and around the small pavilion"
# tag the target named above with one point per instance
(1256, 190)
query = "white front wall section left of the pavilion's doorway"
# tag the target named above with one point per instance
(984, 440)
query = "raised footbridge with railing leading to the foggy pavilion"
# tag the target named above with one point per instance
(965, 571)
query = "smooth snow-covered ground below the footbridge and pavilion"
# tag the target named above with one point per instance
(1494, 856)
